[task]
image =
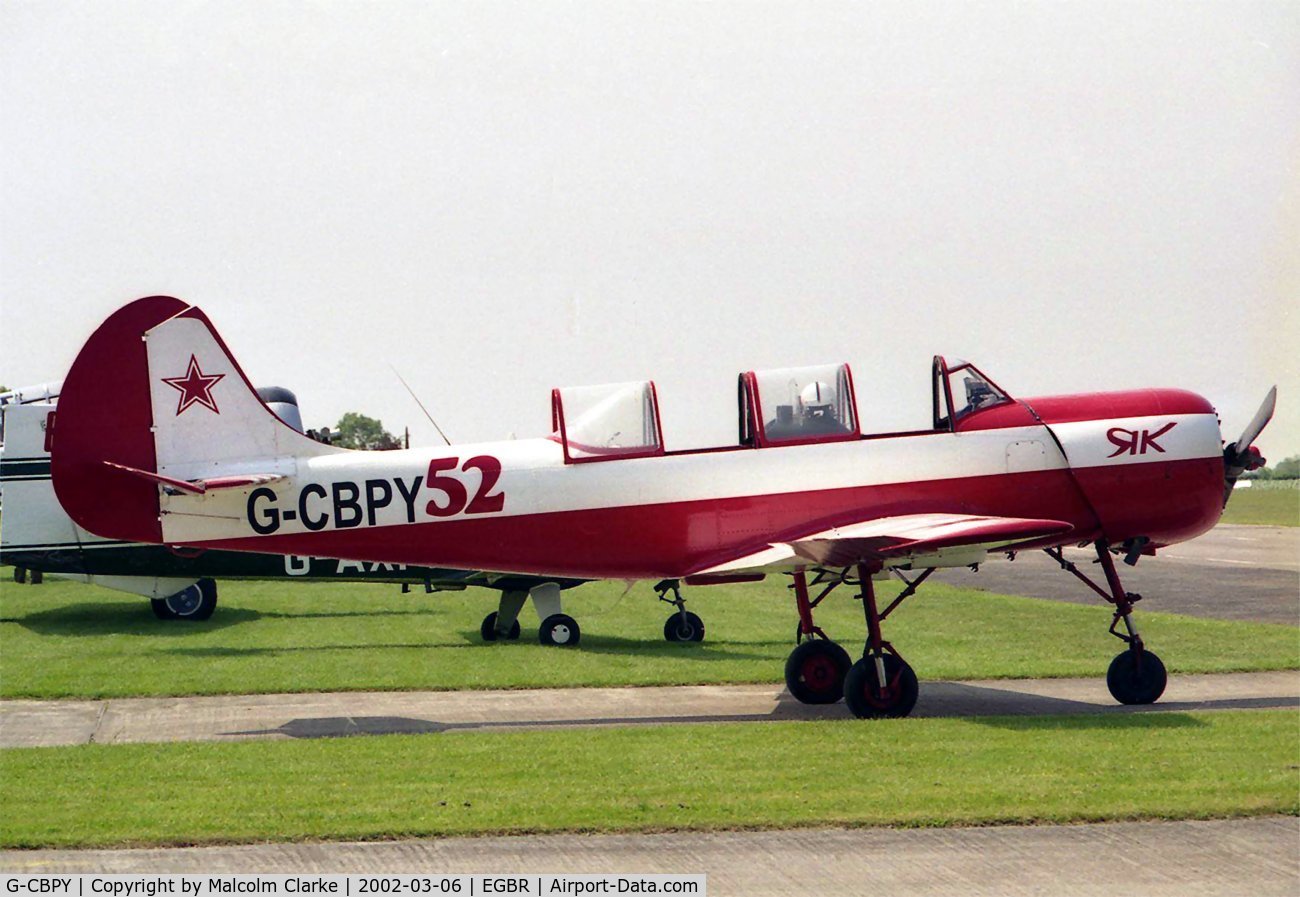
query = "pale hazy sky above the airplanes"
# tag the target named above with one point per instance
(499, 200)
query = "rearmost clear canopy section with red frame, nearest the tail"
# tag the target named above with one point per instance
(603, 423)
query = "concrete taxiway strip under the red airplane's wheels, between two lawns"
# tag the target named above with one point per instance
(236, 718)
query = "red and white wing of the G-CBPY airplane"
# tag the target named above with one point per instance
(892, 539)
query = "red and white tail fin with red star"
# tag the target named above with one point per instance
(155, 391)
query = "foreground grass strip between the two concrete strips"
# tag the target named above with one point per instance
(765, 775)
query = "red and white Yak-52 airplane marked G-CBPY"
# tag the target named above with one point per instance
(189, 456)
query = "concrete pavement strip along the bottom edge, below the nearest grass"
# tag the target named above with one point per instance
(1225, 857)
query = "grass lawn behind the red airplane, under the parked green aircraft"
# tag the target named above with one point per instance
(71, 640)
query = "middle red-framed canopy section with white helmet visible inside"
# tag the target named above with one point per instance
(795, 406)
